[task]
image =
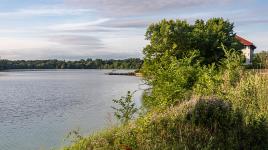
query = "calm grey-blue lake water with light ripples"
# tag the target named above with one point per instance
(39, 108)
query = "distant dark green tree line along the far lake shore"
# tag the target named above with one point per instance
(131, 63)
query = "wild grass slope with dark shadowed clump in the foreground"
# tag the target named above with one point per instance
(196, 124)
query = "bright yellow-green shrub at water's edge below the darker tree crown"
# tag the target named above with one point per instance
(172, 80)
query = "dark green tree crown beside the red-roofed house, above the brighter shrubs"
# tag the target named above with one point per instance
(178, 38)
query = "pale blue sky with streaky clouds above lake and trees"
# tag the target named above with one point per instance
(111, 29)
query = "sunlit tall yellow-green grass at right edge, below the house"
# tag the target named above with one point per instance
(250, 94)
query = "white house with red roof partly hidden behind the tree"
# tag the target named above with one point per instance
(248, 50)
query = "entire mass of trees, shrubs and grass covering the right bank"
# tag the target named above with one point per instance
(200, 98)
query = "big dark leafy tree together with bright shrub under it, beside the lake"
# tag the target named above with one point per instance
(181, 55)
